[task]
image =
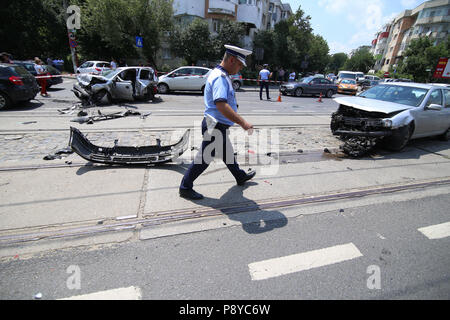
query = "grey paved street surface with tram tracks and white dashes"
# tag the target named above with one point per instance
(276, 237)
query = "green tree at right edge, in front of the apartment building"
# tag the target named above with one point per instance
(421, 56)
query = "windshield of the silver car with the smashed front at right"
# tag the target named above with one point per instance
(411, 96)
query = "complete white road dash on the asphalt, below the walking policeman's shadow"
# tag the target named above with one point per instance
(303, 261)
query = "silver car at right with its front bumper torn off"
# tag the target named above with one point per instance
(392, 114)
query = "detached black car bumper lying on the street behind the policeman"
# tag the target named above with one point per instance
(127, 154)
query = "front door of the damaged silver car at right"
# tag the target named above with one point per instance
(428, 122)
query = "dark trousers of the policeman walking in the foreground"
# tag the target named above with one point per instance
(200, 163)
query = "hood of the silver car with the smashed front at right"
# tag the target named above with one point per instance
(372, 105)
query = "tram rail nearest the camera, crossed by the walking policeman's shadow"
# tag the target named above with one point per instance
(160, 218)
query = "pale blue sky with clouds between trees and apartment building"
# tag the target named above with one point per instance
(349, 24)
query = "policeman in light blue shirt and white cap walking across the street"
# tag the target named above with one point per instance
(220, 114)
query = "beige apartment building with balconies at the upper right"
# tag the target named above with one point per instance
(430, 19)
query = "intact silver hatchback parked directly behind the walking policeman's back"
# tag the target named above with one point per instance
(184, 79)
